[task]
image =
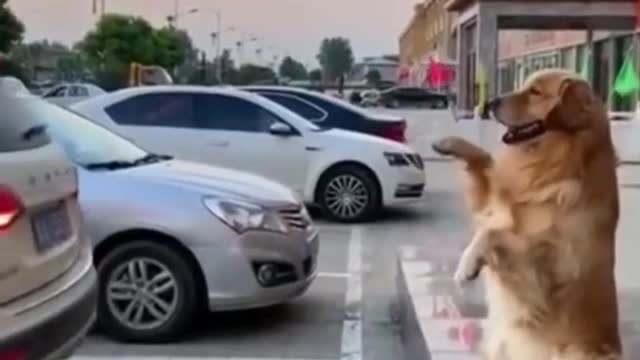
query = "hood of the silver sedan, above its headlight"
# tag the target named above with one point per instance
(211, 180)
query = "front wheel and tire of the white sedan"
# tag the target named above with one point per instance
(364, 185)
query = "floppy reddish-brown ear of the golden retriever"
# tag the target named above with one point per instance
(576, 106)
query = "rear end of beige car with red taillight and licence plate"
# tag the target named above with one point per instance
(47, 280)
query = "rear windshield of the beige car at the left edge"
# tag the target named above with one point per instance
(19, 128)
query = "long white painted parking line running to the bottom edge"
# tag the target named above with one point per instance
(351, 348)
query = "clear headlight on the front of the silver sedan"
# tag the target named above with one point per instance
(244, 216)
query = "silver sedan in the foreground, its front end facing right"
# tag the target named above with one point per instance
(173, 237)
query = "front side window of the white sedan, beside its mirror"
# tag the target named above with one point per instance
(220, 112)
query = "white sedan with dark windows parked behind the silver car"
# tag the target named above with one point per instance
(351, 176)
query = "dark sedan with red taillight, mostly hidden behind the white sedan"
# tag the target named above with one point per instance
(329, 112)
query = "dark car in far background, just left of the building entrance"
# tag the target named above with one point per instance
(413, 96)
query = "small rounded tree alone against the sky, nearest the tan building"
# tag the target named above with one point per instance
(335, 57)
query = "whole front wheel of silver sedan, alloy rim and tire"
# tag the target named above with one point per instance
(149, 292)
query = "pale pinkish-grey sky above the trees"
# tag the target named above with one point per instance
(283, 27)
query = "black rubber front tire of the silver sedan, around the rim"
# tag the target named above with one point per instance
(183, 304)
